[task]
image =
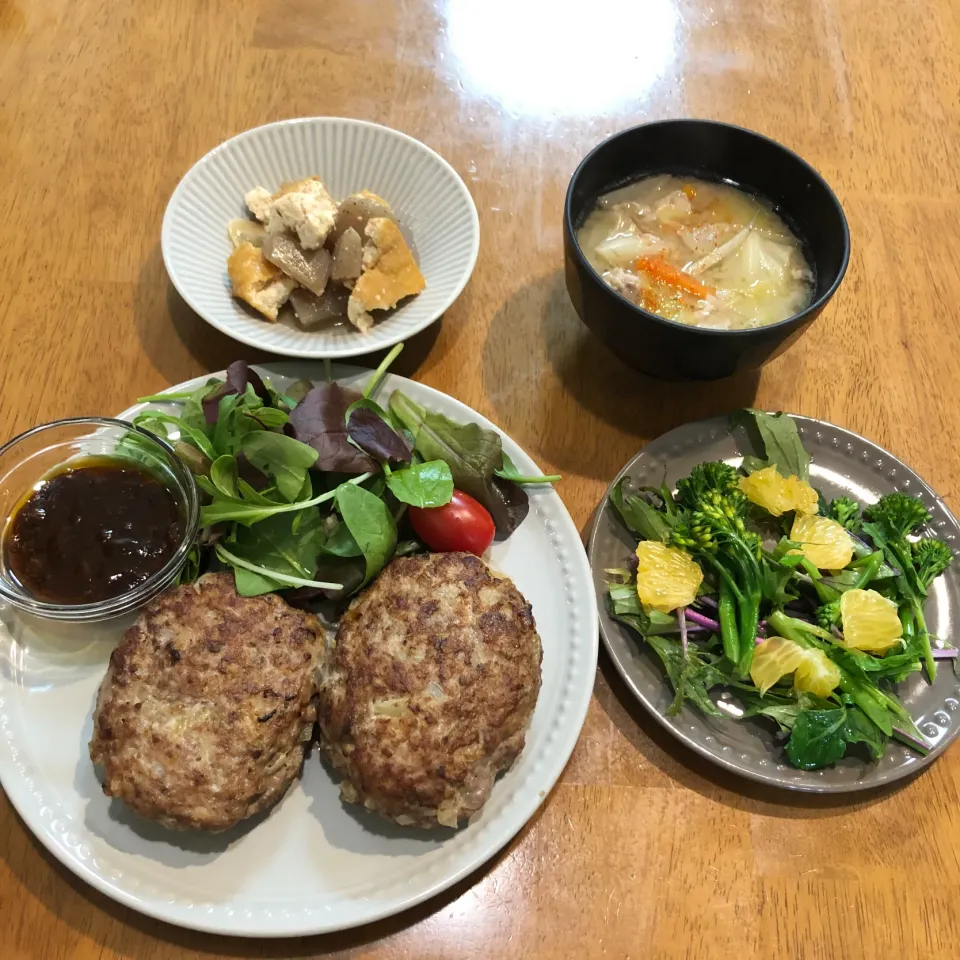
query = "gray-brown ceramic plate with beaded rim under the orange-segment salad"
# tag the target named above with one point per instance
(842, 463)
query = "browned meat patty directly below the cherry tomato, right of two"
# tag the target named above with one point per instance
(428, 690)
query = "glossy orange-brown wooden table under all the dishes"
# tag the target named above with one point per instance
(642, 850)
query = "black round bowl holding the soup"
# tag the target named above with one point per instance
(667, 349)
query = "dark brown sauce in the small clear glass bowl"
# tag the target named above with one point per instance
(92, 531)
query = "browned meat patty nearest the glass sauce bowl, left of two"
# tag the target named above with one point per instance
(203, 715)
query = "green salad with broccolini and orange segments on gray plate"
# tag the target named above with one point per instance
(807, 612)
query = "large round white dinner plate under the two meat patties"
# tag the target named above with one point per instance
(312, 864)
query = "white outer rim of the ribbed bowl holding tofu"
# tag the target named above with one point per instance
(319, 353)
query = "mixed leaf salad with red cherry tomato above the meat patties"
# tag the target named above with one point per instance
(310, 490)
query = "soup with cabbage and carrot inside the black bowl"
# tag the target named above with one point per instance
(705, 254)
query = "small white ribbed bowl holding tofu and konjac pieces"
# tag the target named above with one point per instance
(349, 155)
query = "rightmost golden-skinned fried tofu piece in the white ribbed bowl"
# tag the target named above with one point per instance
(389, 273)
